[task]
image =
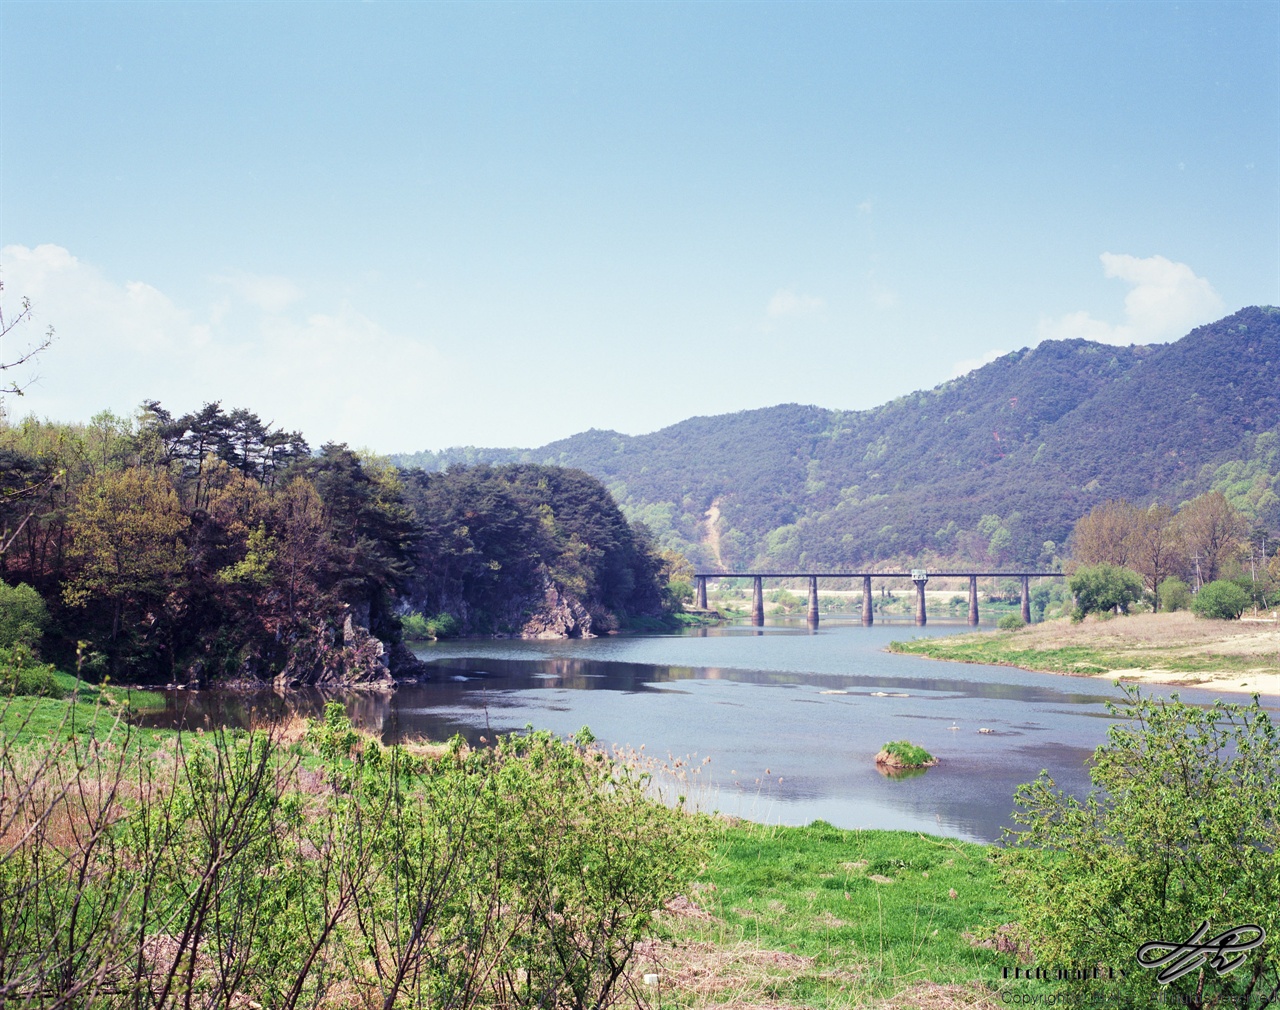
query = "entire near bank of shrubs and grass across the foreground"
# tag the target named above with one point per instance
(309, 866)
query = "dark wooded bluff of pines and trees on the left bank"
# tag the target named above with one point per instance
(213, 546)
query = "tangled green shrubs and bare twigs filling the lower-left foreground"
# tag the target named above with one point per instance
(252, 870)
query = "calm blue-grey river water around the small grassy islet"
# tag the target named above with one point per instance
(790, 719)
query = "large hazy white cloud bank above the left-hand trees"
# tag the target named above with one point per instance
(328, 371)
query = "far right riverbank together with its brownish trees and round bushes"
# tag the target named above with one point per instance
(1194, 641)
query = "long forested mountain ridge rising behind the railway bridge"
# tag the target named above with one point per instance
(991, 469)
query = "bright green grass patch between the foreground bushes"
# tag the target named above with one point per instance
(820, 917)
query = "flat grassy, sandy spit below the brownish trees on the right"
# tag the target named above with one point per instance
(1155, 648)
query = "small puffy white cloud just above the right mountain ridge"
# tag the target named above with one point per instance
(1165, 303)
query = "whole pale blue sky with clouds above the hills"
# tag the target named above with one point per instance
(410, 226)
